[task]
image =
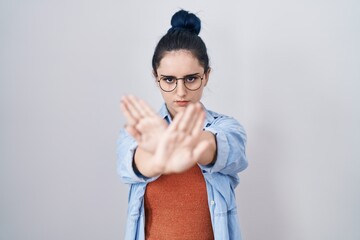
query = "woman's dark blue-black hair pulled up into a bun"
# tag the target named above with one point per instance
(183, 35)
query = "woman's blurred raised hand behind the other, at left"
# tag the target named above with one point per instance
(143, 123)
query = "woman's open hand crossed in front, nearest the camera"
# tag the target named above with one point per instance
(179, 148)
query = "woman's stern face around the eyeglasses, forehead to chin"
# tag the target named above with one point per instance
(179, 64)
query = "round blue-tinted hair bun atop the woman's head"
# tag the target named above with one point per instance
(186, 21)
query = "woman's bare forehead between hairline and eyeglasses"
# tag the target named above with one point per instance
(180, 62)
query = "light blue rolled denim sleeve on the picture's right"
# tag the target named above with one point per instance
(230, 146)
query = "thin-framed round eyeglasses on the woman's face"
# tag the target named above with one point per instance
(191, 82)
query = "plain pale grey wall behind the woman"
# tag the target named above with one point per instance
(287, 70)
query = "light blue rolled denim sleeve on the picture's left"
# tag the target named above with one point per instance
(126, 147)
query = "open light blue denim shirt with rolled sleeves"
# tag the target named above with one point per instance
(221, 177)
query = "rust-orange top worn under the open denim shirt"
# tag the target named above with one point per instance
(176, 207)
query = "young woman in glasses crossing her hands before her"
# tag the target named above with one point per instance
(182, 163)
